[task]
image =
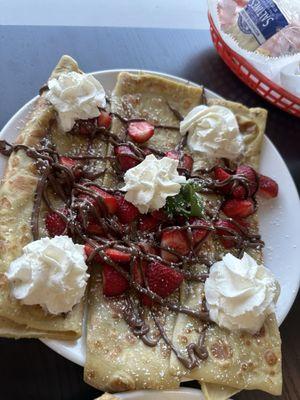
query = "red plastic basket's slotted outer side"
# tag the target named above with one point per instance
(253, 78)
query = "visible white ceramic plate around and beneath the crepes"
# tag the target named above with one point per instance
(279, 221)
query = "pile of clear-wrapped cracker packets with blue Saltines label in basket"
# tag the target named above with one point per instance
(269, 26)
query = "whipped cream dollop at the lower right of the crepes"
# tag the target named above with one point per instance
(240, 294)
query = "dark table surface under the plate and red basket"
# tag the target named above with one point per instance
(28, 369)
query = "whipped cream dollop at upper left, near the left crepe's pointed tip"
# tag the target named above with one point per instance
(75, 96)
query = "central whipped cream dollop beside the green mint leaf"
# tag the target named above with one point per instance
(149, 184)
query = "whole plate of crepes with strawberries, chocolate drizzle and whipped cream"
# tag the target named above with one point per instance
(137, 197)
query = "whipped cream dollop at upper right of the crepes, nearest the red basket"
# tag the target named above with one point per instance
(212, 131)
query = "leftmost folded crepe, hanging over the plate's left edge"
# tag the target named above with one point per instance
(16, 202)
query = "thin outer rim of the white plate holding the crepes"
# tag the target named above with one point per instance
(57, 345)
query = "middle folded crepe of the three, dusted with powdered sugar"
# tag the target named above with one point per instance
(116, 360)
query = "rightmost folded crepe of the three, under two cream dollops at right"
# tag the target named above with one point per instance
(240, 360)
